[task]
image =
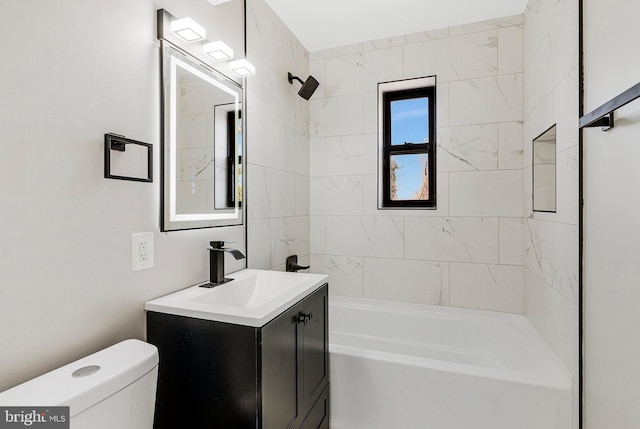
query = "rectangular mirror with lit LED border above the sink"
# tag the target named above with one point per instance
(202, 144)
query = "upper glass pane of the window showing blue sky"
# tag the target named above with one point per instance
(410, 121)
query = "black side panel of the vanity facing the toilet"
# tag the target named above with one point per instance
(206, 375)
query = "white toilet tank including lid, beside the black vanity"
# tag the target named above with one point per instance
(113, 388)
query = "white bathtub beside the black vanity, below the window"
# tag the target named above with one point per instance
(408, 366)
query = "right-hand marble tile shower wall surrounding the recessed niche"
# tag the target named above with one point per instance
(551, 239)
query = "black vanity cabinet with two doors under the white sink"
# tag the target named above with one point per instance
(222, 375)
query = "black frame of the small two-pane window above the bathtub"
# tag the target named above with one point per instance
(388, 150)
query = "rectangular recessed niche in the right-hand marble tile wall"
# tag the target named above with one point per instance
(544, 171)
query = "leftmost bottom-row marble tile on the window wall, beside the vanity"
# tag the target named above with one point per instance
(345, 273)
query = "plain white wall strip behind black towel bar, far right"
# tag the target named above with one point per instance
(612, 209)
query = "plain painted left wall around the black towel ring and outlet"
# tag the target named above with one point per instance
(70, 72)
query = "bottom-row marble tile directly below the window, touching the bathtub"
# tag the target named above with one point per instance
(405, 280)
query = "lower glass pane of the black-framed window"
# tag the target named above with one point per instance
(409, 177)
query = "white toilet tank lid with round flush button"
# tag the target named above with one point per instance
(120, 365)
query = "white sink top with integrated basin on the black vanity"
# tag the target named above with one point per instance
(253, 298)
